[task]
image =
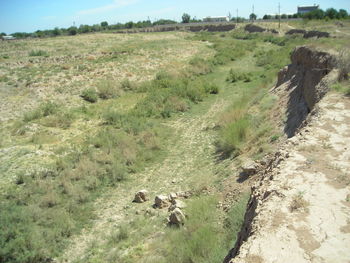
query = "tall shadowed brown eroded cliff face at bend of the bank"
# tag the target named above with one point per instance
(303, 83)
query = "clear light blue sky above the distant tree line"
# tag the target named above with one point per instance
(32, 15)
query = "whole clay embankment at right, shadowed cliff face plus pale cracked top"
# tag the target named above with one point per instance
(299, 210)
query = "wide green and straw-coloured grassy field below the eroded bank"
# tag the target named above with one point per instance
(86, 121)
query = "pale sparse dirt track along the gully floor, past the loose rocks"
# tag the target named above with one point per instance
(190, 156)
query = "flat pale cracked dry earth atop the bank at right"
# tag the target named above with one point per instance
(306, 218)
